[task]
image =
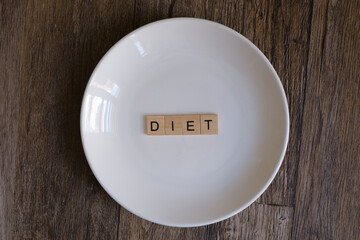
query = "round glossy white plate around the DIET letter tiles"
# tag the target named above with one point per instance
(184, 66)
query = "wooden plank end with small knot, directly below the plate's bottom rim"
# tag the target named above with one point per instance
(259, 221)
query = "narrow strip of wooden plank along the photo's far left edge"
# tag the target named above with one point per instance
(11, 42)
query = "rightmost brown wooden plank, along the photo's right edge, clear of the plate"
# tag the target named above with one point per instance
(327, 198)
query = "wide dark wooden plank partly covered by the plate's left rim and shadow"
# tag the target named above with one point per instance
(56, 195)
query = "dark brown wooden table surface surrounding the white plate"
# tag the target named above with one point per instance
(48, 50)
